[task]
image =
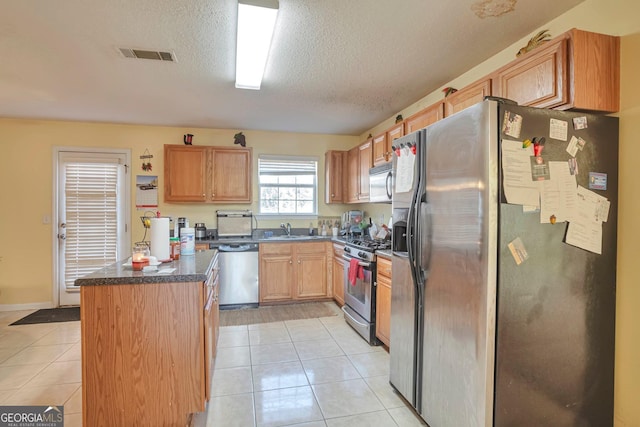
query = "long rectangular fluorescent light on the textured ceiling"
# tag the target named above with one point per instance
(256, 21)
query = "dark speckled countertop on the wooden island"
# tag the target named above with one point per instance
(191, 268)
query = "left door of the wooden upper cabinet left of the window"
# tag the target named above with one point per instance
(185, 171)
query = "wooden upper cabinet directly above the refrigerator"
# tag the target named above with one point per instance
(577, 69)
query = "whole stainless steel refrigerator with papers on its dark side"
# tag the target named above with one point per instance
(495, 318)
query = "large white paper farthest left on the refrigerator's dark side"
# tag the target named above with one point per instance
(519, 189)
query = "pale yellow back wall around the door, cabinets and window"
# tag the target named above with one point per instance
(26, 187)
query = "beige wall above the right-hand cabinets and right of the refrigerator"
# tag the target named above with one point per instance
(619, 18)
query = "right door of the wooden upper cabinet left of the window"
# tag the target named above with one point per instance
(231, 175)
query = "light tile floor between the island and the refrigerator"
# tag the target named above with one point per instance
(312, 373)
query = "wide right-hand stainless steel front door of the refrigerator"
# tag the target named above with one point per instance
(459, 295)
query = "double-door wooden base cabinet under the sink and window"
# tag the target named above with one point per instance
(293, 271)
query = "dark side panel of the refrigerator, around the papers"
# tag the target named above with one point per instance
(556, 311)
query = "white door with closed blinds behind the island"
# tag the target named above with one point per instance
(93, 209)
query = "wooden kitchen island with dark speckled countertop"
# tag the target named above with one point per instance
(148, 342)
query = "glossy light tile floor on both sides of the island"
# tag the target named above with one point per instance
(311, 372)
